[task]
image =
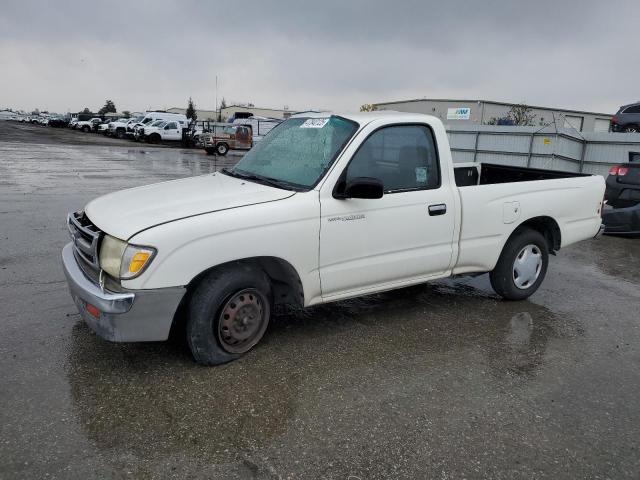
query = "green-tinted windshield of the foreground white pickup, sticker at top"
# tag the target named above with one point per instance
(297, 153)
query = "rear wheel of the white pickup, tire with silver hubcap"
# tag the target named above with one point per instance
(529, 248)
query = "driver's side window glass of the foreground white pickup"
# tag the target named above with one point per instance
(402, 157)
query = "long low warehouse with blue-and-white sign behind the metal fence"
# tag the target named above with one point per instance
(483, 112)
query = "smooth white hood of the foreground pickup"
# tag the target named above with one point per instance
(123, 214)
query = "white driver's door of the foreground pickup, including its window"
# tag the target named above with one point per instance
(405, 235)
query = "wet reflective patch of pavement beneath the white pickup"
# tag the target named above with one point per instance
(152, 400)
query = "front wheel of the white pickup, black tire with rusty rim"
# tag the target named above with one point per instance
(215, 332)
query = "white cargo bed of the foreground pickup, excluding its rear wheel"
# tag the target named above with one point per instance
(496, 198)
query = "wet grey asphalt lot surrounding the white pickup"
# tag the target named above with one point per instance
(438, 381)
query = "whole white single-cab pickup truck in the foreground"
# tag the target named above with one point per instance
(324, 208)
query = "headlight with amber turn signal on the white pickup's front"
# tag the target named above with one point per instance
(124, 261)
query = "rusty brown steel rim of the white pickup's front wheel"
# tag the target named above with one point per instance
(241, 322)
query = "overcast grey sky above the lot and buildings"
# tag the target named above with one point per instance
(325, 54)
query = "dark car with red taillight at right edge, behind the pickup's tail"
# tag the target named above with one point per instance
(622, 196)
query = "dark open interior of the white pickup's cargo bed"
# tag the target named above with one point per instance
(469, 174)
